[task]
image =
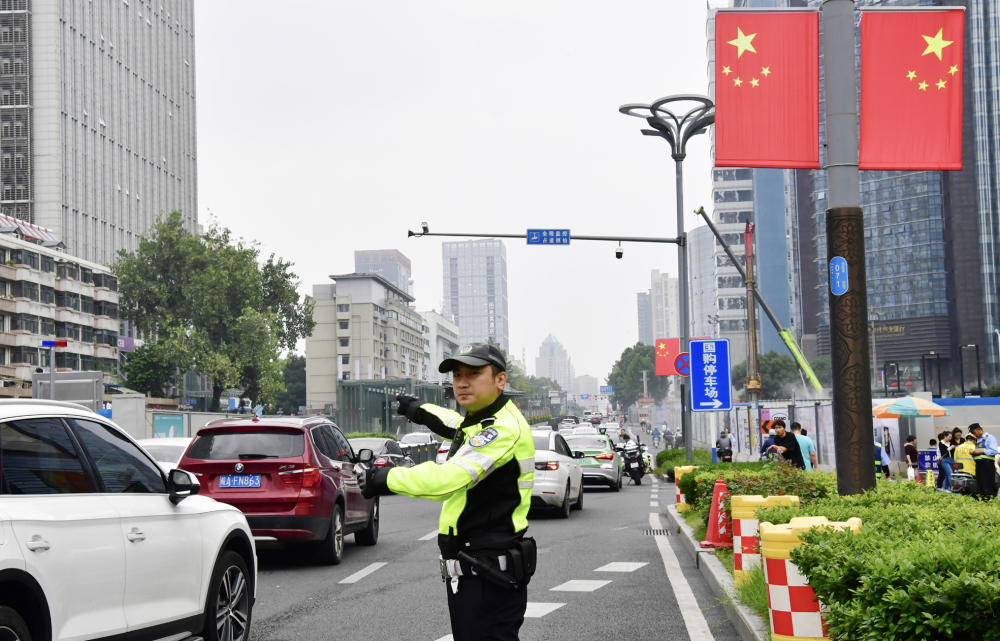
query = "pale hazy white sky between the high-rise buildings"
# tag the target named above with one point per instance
(326, 127)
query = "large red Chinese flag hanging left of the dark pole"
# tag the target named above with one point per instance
(767, 89)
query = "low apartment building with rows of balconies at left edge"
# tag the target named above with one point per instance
(47, 295)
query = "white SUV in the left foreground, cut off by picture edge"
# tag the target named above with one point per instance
(96, 541)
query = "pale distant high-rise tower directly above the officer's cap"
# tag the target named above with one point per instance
(475, 290)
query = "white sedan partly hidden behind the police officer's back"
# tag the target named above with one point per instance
(558, 477)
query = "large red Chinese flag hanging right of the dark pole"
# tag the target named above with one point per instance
(911, 89)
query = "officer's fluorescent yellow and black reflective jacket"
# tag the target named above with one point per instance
(485, 485)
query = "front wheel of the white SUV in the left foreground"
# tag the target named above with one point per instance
(228, 611)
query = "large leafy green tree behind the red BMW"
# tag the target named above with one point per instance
(212, 306)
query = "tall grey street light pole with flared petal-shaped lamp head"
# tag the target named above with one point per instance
(677, 129)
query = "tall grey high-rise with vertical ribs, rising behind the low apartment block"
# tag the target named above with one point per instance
(97, 119)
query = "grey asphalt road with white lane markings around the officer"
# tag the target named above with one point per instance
(394, 590)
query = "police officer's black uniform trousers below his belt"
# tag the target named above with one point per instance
(484, 611)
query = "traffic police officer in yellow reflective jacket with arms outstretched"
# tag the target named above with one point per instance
(485, 485)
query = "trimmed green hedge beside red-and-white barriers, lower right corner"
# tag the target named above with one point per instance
(926, 565)
